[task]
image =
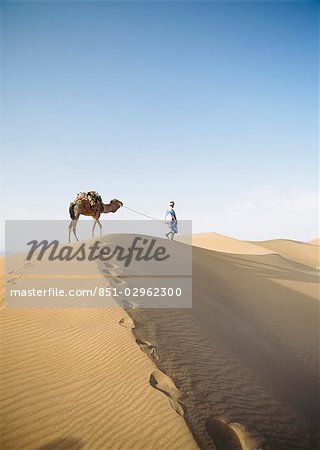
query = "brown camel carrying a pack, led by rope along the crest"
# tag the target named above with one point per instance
(82, 205)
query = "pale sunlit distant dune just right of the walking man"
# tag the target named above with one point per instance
(225, 244)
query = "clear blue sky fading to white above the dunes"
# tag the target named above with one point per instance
(211, 104)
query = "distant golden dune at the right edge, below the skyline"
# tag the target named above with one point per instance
(301, 252)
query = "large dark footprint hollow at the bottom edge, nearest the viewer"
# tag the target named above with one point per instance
(223, 436)
